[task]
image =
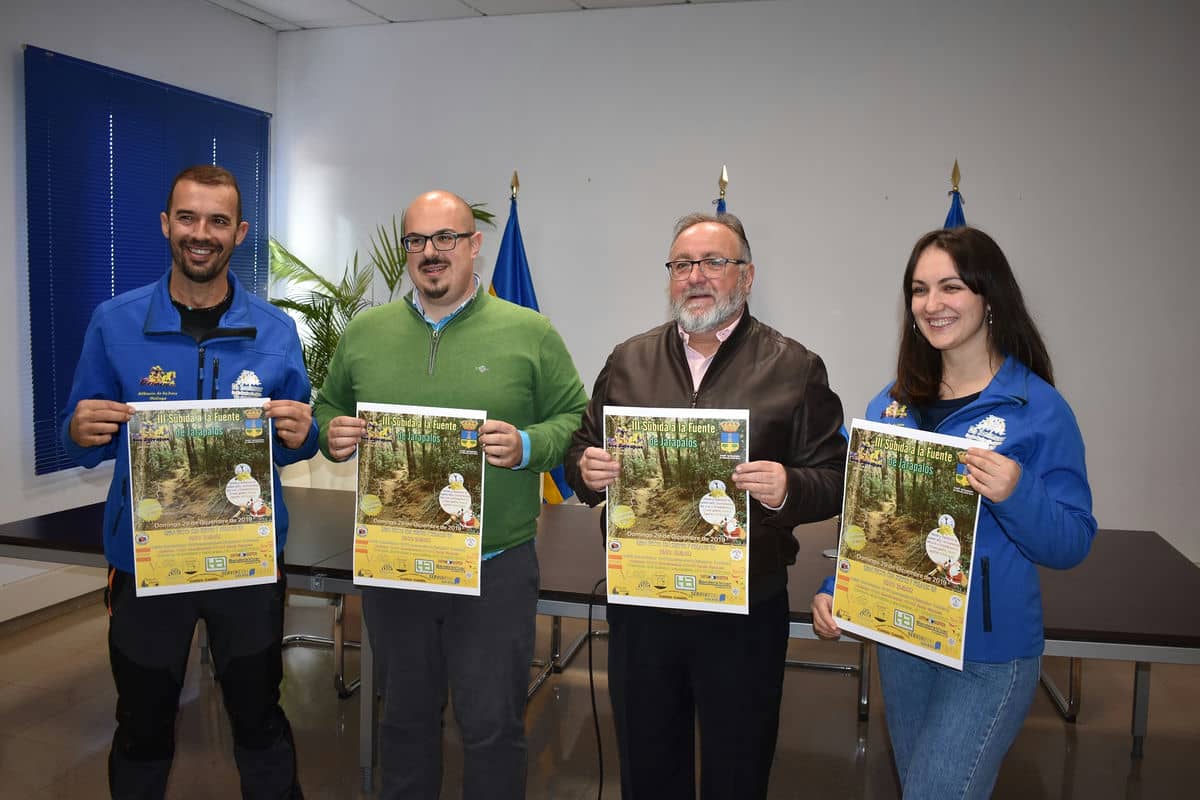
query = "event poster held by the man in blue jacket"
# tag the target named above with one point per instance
(203, 496)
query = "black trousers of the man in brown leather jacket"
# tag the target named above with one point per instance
(668, 672)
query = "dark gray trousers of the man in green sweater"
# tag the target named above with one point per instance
(478, 649)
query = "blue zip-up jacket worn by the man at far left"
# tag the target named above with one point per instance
(135, 350)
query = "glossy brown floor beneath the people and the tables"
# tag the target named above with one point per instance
(57, 711)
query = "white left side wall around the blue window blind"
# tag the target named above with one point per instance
(184, 43)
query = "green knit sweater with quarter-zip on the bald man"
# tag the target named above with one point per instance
(494, 356)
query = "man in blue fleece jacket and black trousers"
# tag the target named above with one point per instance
(147, 345)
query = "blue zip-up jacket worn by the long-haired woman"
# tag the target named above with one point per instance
(1047, 521)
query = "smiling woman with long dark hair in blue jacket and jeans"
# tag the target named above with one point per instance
(974, 365)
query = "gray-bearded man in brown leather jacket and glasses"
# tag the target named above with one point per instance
(667, 669)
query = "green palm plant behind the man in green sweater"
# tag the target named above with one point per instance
(327, 306)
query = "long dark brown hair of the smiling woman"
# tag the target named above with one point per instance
(1011, 332)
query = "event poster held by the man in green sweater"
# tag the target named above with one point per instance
(419, 520)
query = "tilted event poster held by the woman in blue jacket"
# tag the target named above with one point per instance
(907, 552)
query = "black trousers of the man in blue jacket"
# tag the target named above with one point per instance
(149, 640)
